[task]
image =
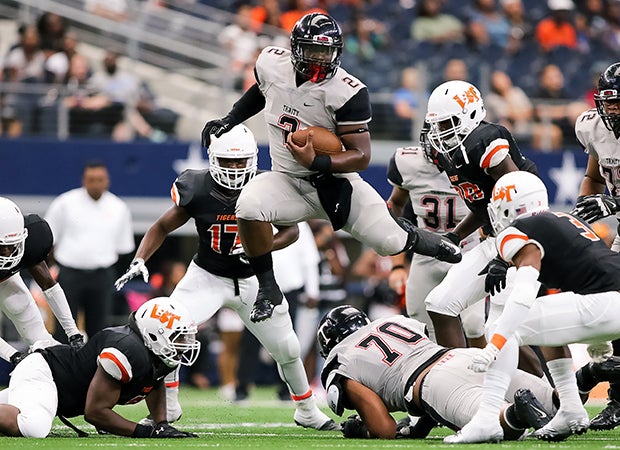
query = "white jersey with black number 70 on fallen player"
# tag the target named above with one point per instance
(383, 356)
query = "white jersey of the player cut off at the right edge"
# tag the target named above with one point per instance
(602, 144)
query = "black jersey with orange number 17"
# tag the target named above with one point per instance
(213, 210)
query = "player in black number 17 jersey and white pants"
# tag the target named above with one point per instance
(219, 274)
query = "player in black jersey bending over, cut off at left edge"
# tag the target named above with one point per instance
(24, 244)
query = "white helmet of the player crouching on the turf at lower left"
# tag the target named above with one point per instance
(168, 331)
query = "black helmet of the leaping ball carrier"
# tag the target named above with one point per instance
(316, 46)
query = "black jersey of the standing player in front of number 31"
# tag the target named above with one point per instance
(486, 147)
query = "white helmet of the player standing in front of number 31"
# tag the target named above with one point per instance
(455, 108)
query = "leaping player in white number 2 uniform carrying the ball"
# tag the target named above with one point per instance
(307, 87)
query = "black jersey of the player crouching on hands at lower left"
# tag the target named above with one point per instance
(120, 351)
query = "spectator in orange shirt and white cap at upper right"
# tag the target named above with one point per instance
(557, 29)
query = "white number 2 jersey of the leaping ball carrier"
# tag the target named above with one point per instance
(289, 108)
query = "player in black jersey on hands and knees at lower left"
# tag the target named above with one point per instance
(117, 366)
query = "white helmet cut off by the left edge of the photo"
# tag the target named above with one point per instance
(13, 234)
